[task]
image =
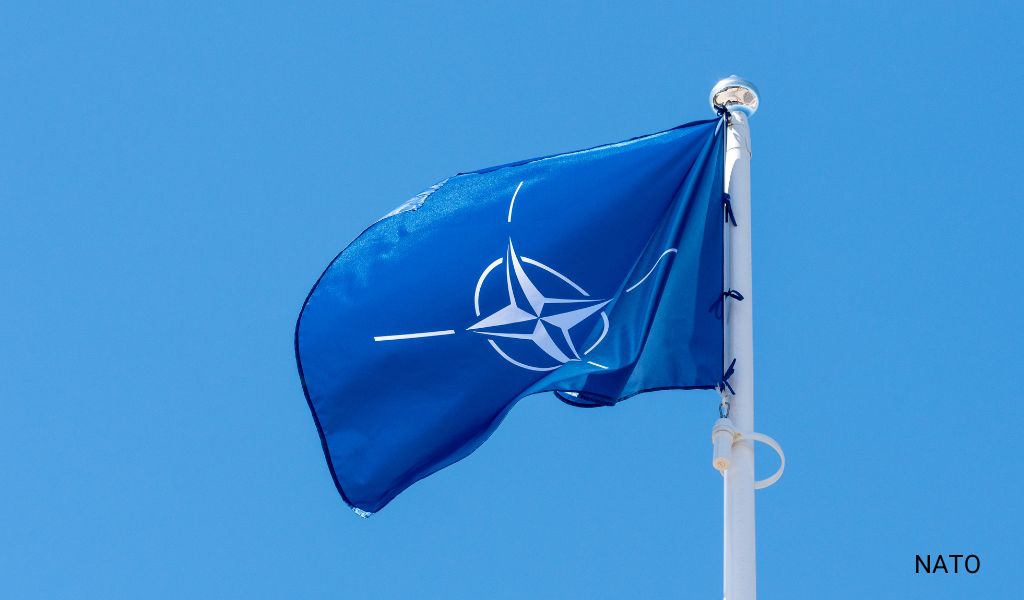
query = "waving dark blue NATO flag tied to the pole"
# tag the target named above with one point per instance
(595, 275)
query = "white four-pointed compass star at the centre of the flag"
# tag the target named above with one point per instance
(531, 316)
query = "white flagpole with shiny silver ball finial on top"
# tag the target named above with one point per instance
(740, 99)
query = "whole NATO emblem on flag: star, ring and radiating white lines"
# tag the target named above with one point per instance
(530, 328)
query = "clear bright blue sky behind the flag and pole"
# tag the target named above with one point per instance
(175, 180)
